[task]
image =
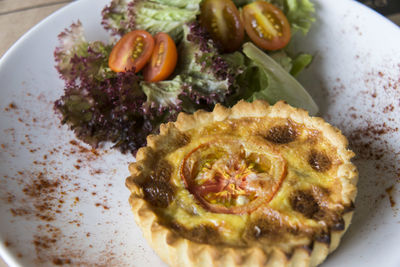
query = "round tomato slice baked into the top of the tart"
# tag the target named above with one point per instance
(226, 177)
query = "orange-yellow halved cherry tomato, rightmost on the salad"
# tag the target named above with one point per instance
(266, 25)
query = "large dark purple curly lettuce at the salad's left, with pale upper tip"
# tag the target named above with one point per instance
(99, 105)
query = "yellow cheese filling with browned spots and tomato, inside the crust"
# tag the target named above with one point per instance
(239, 184)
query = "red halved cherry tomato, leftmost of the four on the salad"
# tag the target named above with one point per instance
(132, 51)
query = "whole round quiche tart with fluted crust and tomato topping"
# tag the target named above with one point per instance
(254, 185)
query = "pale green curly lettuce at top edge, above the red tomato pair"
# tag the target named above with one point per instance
(153, 16)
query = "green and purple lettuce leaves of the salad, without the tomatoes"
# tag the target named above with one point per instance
(101, 105)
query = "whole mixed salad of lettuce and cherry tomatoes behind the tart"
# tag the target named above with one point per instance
(168, 56)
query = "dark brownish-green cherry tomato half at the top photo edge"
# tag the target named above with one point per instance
(222, 20)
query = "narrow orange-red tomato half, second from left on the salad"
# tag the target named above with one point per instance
(163, 60)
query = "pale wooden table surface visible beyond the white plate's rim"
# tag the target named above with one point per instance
(18, 16)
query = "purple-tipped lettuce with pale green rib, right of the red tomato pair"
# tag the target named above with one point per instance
(208, 77)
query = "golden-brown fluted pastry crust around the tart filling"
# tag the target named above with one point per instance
(179, 251)
